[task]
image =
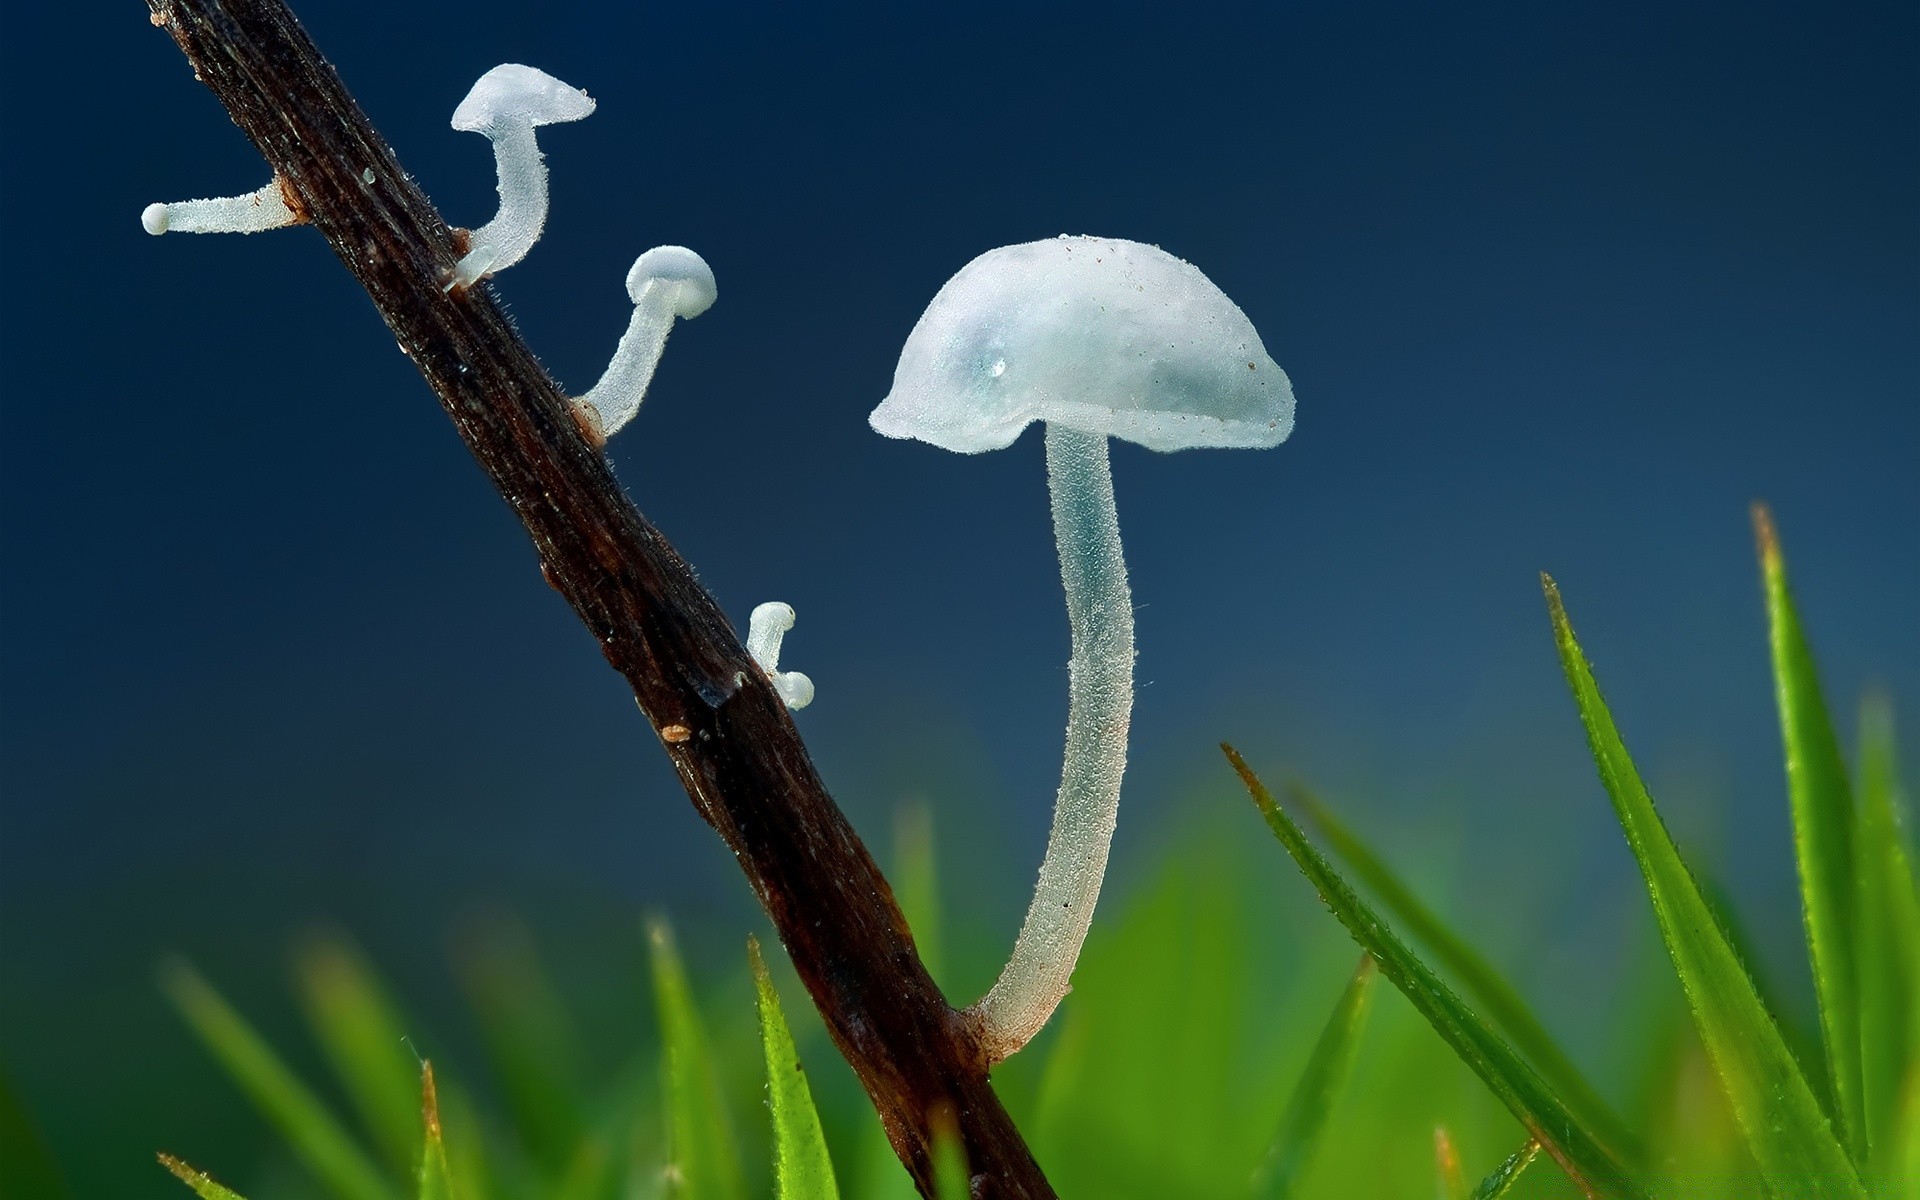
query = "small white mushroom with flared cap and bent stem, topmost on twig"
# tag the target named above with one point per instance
(508, 105)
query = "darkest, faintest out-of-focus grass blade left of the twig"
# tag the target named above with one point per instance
(529, 1040)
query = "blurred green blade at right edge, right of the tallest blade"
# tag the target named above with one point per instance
(1888, 934)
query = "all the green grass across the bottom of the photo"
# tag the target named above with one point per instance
(1218, 1044)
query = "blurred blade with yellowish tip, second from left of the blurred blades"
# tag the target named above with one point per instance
(364, 1042)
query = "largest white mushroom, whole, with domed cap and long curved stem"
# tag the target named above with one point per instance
(1099, 339)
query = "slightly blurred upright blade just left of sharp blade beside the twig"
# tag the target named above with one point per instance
(702, 1138)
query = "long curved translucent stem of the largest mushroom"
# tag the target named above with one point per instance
(1099, 709)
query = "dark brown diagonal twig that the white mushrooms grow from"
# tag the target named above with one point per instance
(719, 721)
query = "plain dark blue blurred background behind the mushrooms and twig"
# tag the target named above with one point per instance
(1560, 287)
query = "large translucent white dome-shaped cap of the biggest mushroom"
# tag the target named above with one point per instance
(1099, 335)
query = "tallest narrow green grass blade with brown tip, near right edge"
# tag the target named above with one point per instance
(1823, 834)
